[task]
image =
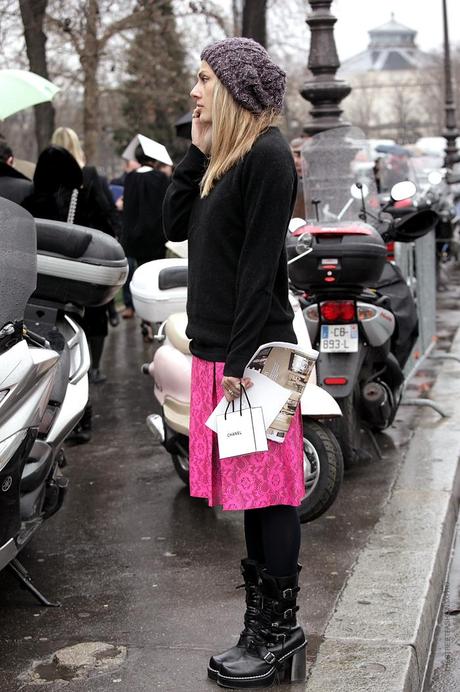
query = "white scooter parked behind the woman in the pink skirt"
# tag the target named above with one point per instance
(159, 294)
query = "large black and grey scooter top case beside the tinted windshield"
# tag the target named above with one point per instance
(77, 265)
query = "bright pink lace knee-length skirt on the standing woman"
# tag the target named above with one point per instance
(262, 479)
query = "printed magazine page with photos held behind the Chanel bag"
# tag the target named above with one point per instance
(290, 367)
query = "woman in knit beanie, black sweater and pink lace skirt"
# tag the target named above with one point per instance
(232, 197)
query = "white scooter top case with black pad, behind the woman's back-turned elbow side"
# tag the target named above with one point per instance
(159, 288)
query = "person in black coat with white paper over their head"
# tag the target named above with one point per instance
(143, 238)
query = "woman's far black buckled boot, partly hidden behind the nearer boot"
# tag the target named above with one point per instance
(250, 570)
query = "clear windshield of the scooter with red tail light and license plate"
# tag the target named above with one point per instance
(332, 162)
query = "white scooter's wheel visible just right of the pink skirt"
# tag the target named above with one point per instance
(323, 468)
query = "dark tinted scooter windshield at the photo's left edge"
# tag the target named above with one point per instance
(18, 261)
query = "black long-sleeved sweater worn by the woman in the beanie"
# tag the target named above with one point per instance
(238, 279)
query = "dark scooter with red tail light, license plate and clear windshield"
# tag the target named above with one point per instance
(359, 311)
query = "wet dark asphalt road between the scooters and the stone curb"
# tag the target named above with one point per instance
(150, 573)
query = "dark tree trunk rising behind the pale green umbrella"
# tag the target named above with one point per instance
(33, 15)
